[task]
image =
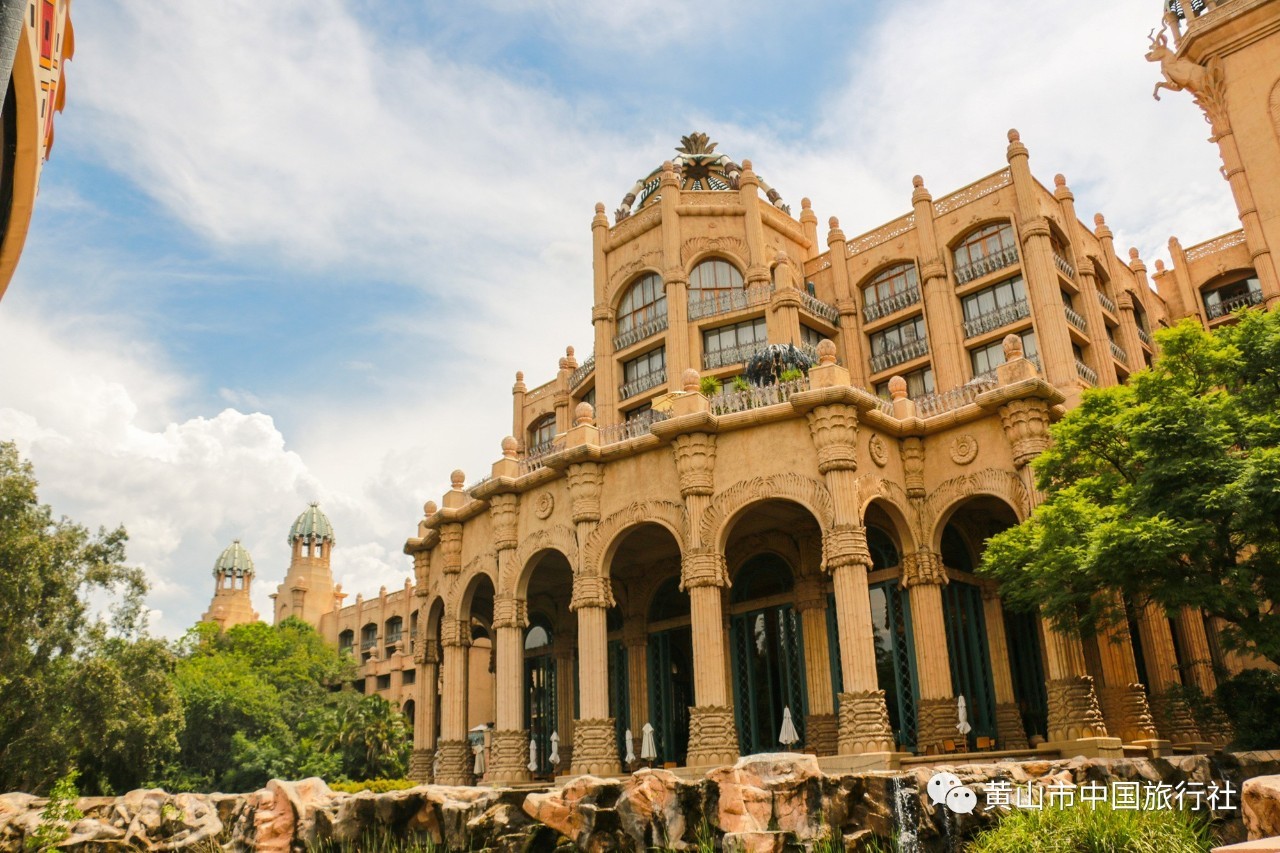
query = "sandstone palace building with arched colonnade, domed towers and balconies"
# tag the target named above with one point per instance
(671, 553)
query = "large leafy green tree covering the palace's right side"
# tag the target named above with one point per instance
(1167, 490)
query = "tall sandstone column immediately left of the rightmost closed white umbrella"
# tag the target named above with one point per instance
(938, 717)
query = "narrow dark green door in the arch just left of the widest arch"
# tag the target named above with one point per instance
(671, 692)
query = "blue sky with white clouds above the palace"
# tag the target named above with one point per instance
(291, 252)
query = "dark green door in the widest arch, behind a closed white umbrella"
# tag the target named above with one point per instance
(769, 665)
